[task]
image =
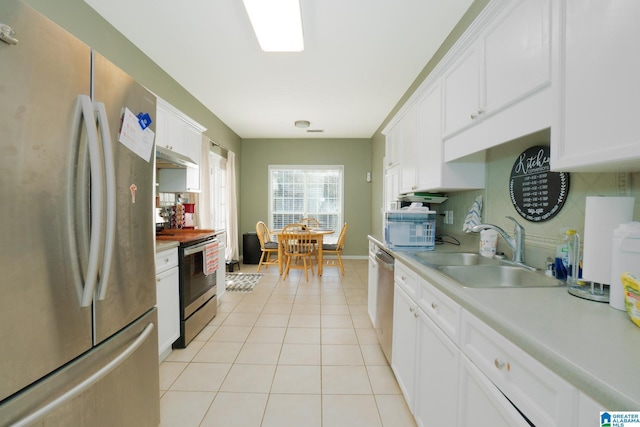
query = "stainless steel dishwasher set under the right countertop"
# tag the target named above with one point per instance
(384, 302)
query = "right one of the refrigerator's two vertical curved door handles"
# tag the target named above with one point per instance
(110, 184)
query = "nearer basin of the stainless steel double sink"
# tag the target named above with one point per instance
(498, 276)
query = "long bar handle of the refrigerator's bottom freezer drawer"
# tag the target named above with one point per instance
(87, 383)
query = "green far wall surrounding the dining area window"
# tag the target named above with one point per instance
(354, 154)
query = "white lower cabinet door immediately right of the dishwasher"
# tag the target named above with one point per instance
(403, 353)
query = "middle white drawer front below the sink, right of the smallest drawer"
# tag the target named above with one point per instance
(440, 308)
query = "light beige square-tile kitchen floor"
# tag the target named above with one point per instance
(289, 353)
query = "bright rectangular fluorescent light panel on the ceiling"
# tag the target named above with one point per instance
(277, 24)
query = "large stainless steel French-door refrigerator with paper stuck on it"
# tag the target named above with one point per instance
(78, 344)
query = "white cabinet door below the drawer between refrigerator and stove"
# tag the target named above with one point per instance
(168, 303)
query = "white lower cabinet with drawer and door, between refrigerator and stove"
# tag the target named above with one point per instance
(168, 300)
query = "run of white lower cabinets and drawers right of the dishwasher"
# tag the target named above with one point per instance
(454, 369)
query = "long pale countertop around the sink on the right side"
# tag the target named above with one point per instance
(592, 346)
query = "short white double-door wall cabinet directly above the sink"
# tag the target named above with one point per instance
(497, 79)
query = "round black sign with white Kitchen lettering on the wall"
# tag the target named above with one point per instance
(536, 193)
